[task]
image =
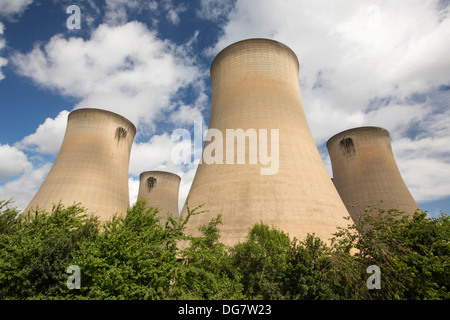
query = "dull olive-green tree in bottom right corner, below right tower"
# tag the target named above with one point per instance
(412, 254)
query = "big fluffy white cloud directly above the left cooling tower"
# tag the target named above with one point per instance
(125, 69)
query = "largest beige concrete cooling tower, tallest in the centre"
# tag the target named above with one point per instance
(255, 85)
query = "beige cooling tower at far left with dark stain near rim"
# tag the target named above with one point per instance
(92, 164)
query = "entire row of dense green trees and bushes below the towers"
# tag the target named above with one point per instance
(135, 256)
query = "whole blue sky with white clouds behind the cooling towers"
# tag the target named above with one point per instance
(365, 62)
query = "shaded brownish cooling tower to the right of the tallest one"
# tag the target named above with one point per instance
(365, 172)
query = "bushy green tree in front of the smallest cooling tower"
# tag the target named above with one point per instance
(134, 257)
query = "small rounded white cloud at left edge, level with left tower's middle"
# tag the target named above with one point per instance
(12, 162)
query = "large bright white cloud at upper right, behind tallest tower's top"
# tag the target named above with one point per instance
(342, 43)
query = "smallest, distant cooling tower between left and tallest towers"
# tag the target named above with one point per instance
(160, 189)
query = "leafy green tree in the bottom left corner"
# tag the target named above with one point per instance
(37, 248)
